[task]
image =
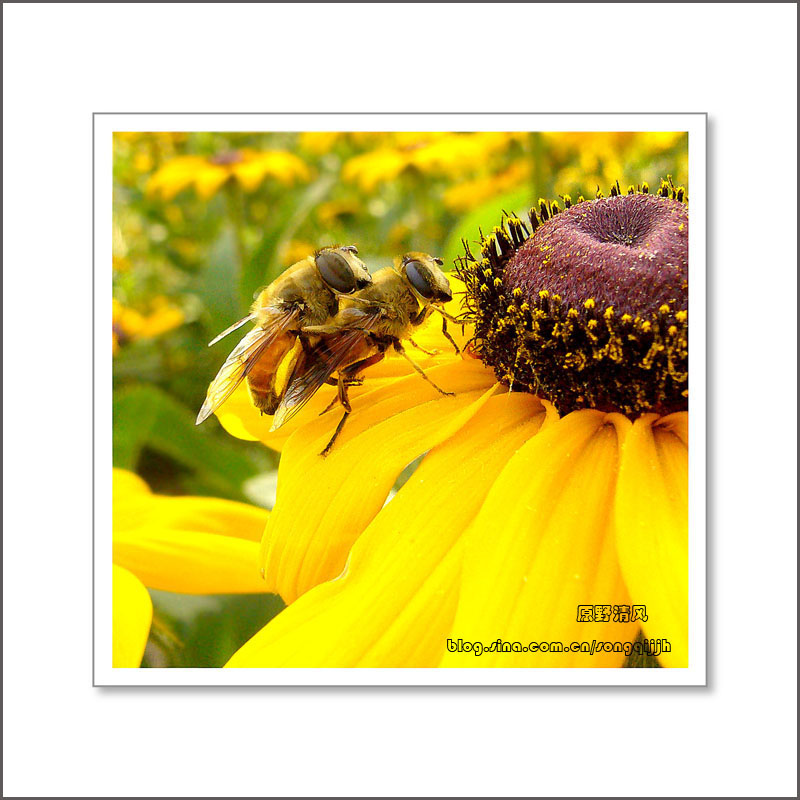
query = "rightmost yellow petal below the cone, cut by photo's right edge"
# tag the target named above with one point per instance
(652, 518)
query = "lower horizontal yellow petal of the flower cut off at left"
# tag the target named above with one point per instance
(191, 562)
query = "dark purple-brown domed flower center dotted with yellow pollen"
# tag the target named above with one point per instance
(590, 307)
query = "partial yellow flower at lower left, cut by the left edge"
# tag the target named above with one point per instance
(194, 545)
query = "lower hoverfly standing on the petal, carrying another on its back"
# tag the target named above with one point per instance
(368, 324)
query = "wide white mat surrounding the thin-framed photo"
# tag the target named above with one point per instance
(736, 737)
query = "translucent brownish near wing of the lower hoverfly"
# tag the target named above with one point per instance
(314, 366)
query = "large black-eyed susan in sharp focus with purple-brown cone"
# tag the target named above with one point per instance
(551, 502)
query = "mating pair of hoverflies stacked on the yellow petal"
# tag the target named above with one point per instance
(323, 315)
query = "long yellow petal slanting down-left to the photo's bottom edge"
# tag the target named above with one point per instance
(394, 605)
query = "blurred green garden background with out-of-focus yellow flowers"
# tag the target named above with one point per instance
(202, 221)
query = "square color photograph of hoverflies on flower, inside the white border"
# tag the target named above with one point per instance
(406, 399)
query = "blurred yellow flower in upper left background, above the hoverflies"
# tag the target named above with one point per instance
(249, 168)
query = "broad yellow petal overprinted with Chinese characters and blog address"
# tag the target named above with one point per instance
(542, 545)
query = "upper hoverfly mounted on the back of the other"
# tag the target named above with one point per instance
(307, 293)
